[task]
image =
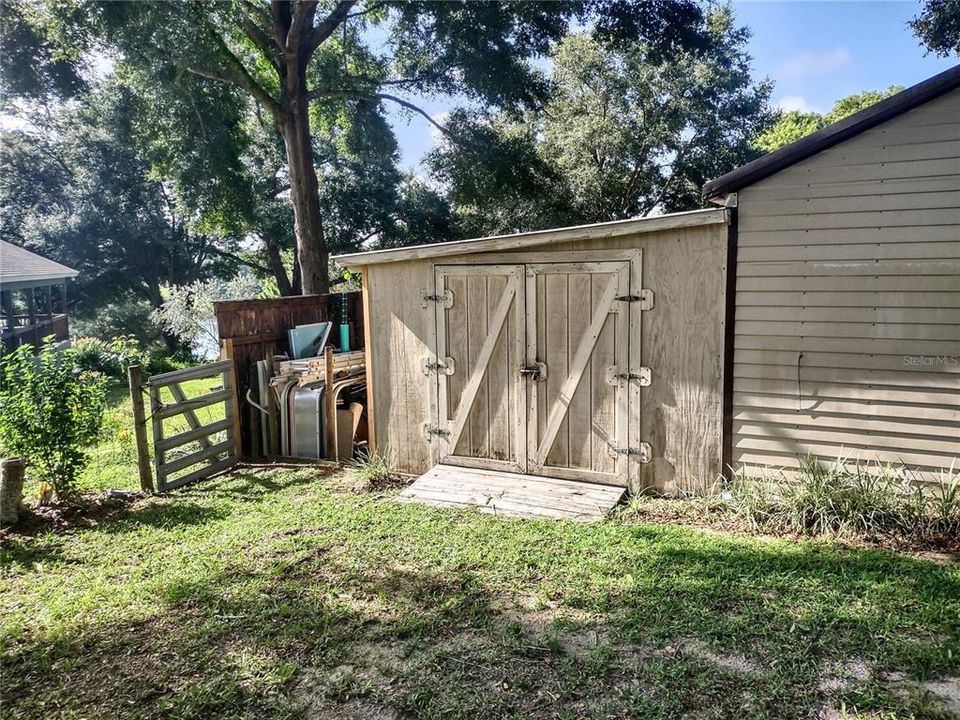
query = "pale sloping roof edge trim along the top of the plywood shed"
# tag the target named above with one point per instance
(518, 241)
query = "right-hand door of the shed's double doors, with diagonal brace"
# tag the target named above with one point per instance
(577, 331)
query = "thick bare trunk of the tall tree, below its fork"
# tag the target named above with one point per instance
(304, 194)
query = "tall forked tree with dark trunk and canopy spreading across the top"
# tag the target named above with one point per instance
(301, 61)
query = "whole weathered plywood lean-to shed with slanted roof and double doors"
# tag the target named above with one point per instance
(588, 353)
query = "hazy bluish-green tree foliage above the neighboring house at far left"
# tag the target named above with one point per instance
(78, 188)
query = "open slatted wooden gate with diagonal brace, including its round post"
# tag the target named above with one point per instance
(194, 435)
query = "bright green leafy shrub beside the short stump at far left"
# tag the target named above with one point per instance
(51, 410)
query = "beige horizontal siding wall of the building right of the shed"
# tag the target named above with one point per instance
(847, 335)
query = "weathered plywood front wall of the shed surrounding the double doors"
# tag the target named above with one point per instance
(683, 263)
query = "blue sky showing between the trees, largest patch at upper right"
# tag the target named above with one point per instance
(815, 52)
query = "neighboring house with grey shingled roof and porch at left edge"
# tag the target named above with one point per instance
(33, 297)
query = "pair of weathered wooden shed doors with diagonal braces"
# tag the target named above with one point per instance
(527, 358)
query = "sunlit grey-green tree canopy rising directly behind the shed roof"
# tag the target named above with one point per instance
(624, 132)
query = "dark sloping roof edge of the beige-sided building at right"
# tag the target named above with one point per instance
(833, 134)
